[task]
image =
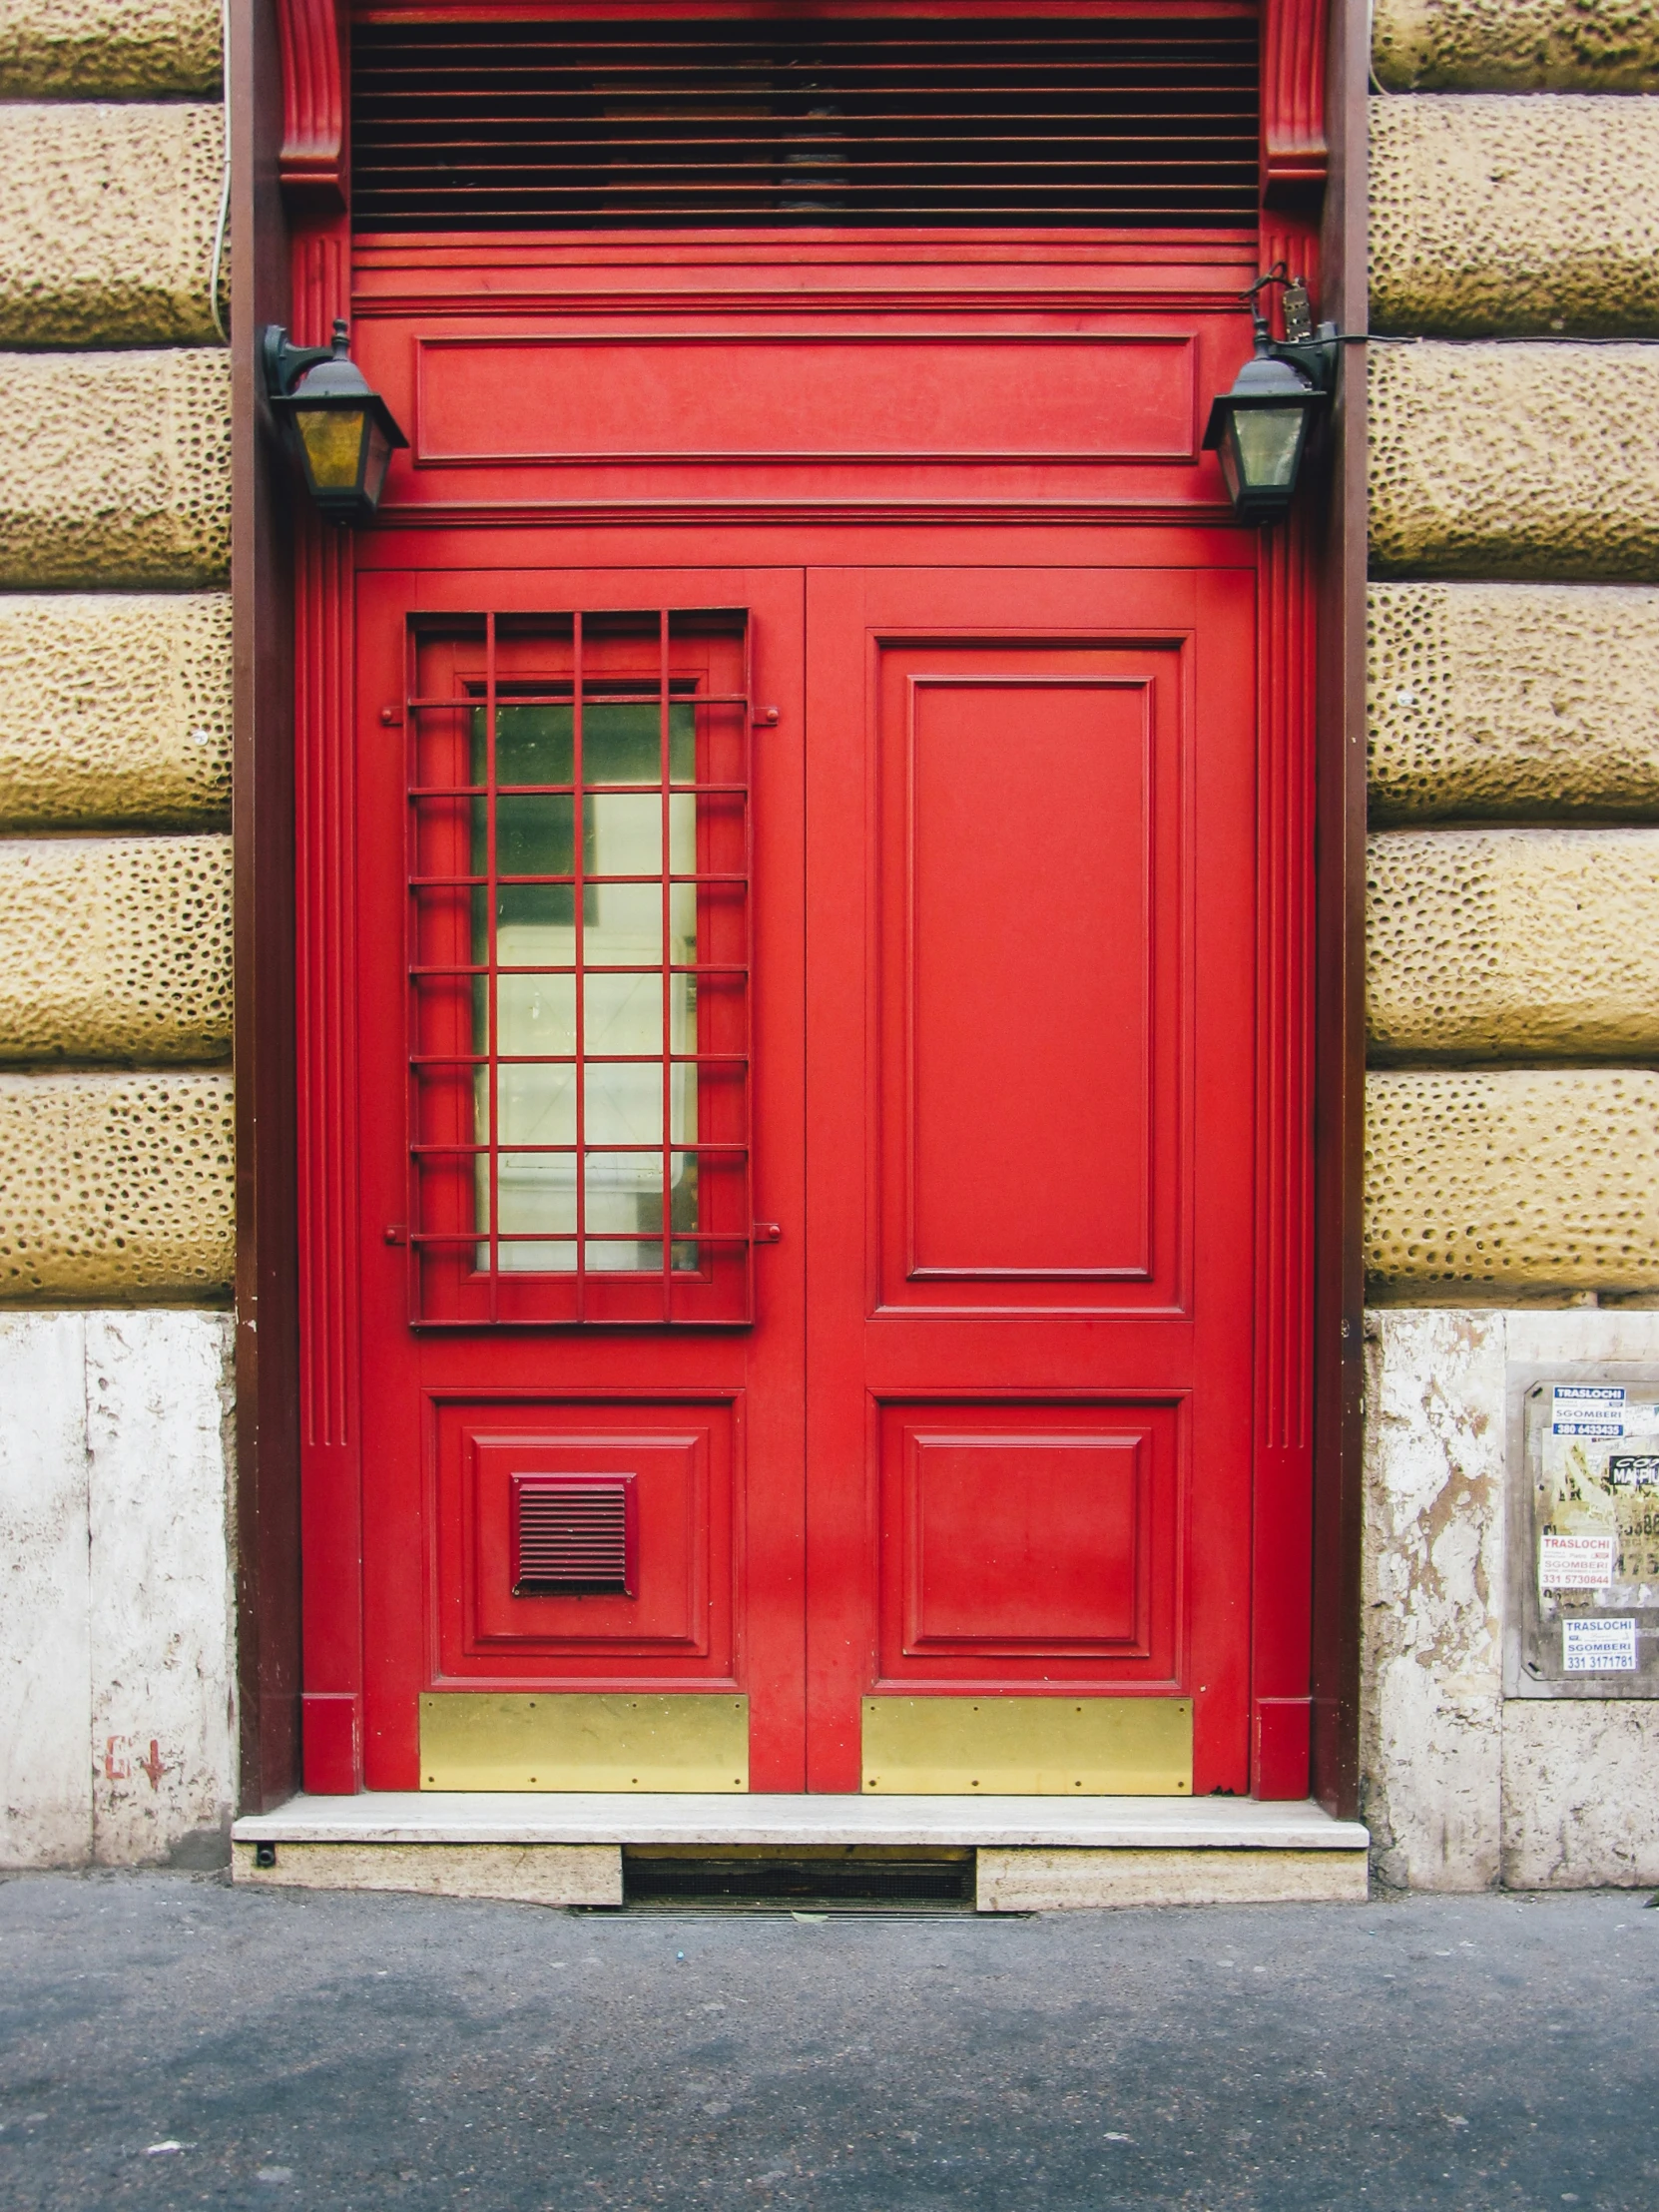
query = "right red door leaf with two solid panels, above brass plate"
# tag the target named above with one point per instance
(1030, 1196)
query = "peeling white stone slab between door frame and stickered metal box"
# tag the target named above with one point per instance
(1432, 1589)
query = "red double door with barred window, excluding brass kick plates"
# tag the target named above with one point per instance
(806, 1127)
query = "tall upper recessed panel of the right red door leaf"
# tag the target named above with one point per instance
(1032, 906)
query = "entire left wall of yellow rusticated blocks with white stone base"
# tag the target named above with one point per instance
(116, 1131)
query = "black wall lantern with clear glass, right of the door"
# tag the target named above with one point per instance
(1262, 426)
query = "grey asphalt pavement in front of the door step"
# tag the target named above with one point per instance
(167, 2041)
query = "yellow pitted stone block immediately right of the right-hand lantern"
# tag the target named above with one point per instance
(1516, 461)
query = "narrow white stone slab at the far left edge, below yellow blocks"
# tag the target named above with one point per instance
(45, 1572)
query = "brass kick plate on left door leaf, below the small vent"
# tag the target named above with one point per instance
(583, 1742)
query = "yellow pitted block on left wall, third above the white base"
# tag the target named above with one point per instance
(114, 709)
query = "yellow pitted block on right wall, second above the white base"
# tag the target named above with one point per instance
(1514, 943)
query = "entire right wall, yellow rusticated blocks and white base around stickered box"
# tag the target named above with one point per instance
(1514, 886)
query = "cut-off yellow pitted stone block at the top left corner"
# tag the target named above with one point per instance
(96, 48)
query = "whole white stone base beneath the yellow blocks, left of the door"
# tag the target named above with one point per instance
(116, 1645)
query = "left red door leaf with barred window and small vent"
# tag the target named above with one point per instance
(589, 972)
